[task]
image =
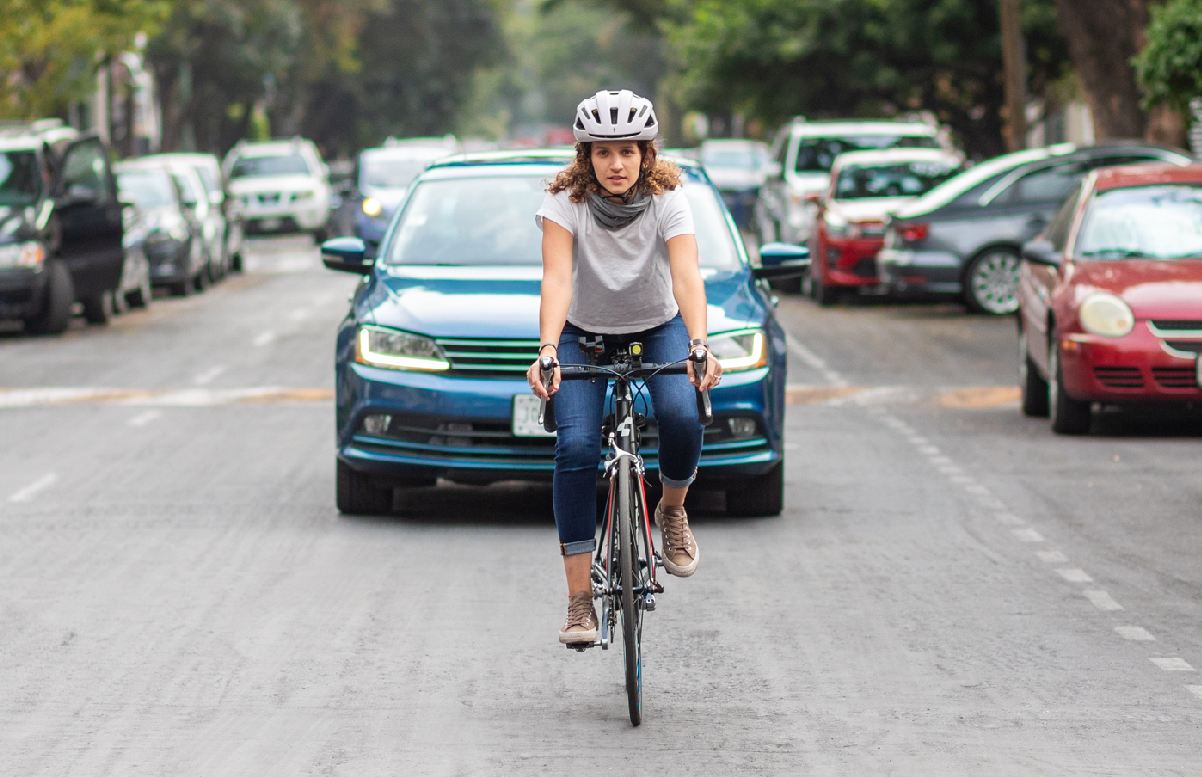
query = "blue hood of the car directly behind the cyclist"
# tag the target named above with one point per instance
(503, 303)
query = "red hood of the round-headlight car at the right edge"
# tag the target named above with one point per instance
(1153, 289)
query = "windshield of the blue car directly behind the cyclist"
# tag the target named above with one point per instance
(490, 221)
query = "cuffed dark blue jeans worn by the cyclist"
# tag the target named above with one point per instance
(580, 406)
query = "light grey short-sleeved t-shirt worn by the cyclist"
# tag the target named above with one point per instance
(622, 281)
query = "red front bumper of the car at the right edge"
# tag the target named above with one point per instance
(1140, 367)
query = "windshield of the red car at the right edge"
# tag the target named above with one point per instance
(1162, 222)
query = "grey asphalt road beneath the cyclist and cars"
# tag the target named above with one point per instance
(951, 591)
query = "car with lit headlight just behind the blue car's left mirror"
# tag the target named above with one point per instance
(382, 177)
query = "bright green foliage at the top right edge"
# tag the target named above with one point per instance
(1170, 67)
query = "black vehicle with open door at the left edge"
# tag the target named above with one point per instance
(61, 227)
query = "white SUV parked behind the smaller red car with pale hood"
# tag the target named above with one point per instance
(802, 156)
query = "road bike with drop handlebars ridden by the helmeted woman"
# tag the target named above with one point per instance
(624, 585)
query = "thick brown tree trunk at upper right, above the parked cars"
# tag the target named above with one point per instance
(1103, 38)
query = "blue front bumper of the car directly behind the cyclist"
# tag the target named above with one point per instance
(461, 429)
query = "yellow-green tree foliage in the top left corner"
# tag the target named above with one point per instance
(51, 50)
